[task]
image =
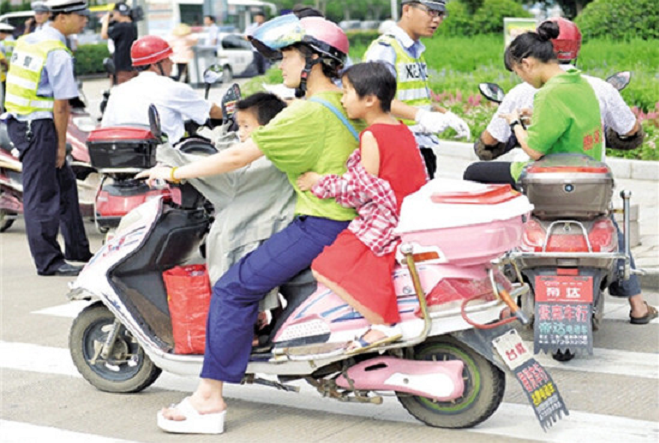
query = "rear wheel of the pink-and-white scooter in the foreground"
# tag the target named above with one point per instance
(484, 387)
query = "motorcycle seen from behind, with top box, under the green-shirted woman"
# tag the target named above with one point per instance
(569, 251)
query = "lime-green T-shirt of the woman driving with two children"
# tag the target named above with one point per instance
(306, 136)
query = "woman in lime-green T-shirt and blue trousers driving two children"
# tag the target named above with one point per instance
(309, 135)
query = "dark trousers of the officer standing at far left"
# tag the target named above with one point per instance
(50, 197)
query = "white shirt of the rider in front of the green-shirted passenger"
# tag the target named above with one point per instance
(615, 112)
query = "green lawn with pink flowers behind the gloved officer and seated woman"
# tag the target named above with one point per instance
(458, 64)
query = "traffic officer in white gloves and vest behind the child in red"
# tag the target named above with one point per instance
(401, 49)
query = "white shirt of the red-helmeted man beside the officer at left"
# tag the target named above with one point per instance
(176, 102)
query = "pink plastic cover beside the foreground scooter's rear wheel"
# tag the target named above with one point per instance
(438, 380)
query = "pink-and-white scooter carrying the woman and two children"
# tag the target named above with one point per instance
(448, 370)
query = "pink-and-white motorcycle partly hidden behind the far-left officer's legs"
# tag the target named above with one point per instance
(11, 185)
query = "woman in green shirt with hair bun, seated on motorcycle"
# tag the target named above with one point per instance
(566, 115)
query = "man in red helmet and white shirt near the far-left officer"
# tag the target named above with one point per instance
(176, 102)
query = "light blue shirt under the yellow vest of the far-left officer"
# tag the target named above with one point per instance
(57, 79)
